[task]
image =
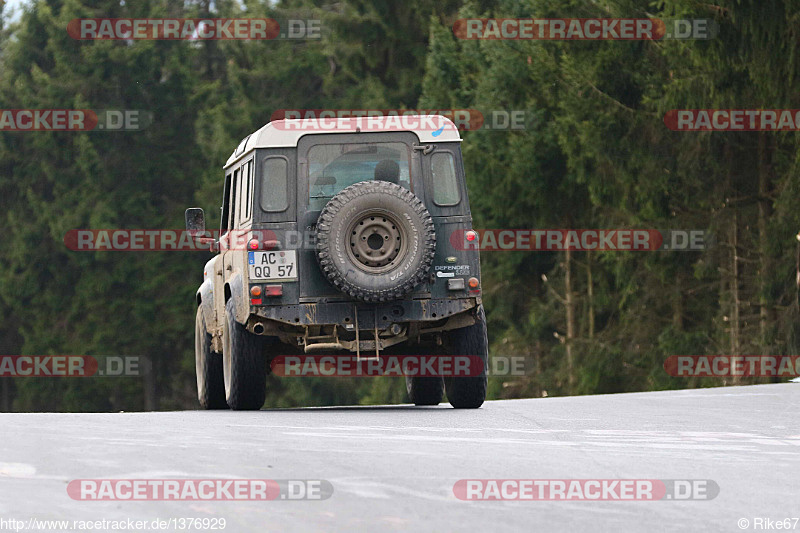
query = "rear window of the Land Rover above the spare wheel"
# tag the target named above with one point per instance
(333, 167)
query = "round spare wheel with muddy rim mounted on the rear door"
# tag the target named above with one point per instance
(384, 270)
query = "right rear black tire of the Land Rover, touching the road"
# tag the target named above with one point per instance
(469, 392)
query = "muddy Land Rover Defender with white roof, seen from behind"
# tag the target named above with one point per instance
(344, 236)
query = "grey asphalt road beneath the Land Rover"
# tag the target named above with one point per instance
(394, 467)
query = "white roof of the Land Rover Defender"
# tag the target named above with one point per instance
(286, 133)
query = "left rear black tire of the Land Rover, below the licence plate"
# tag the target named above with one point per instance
(245, 364)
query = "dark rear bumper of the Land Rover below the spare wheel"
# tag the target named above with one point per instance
(367, 316)
